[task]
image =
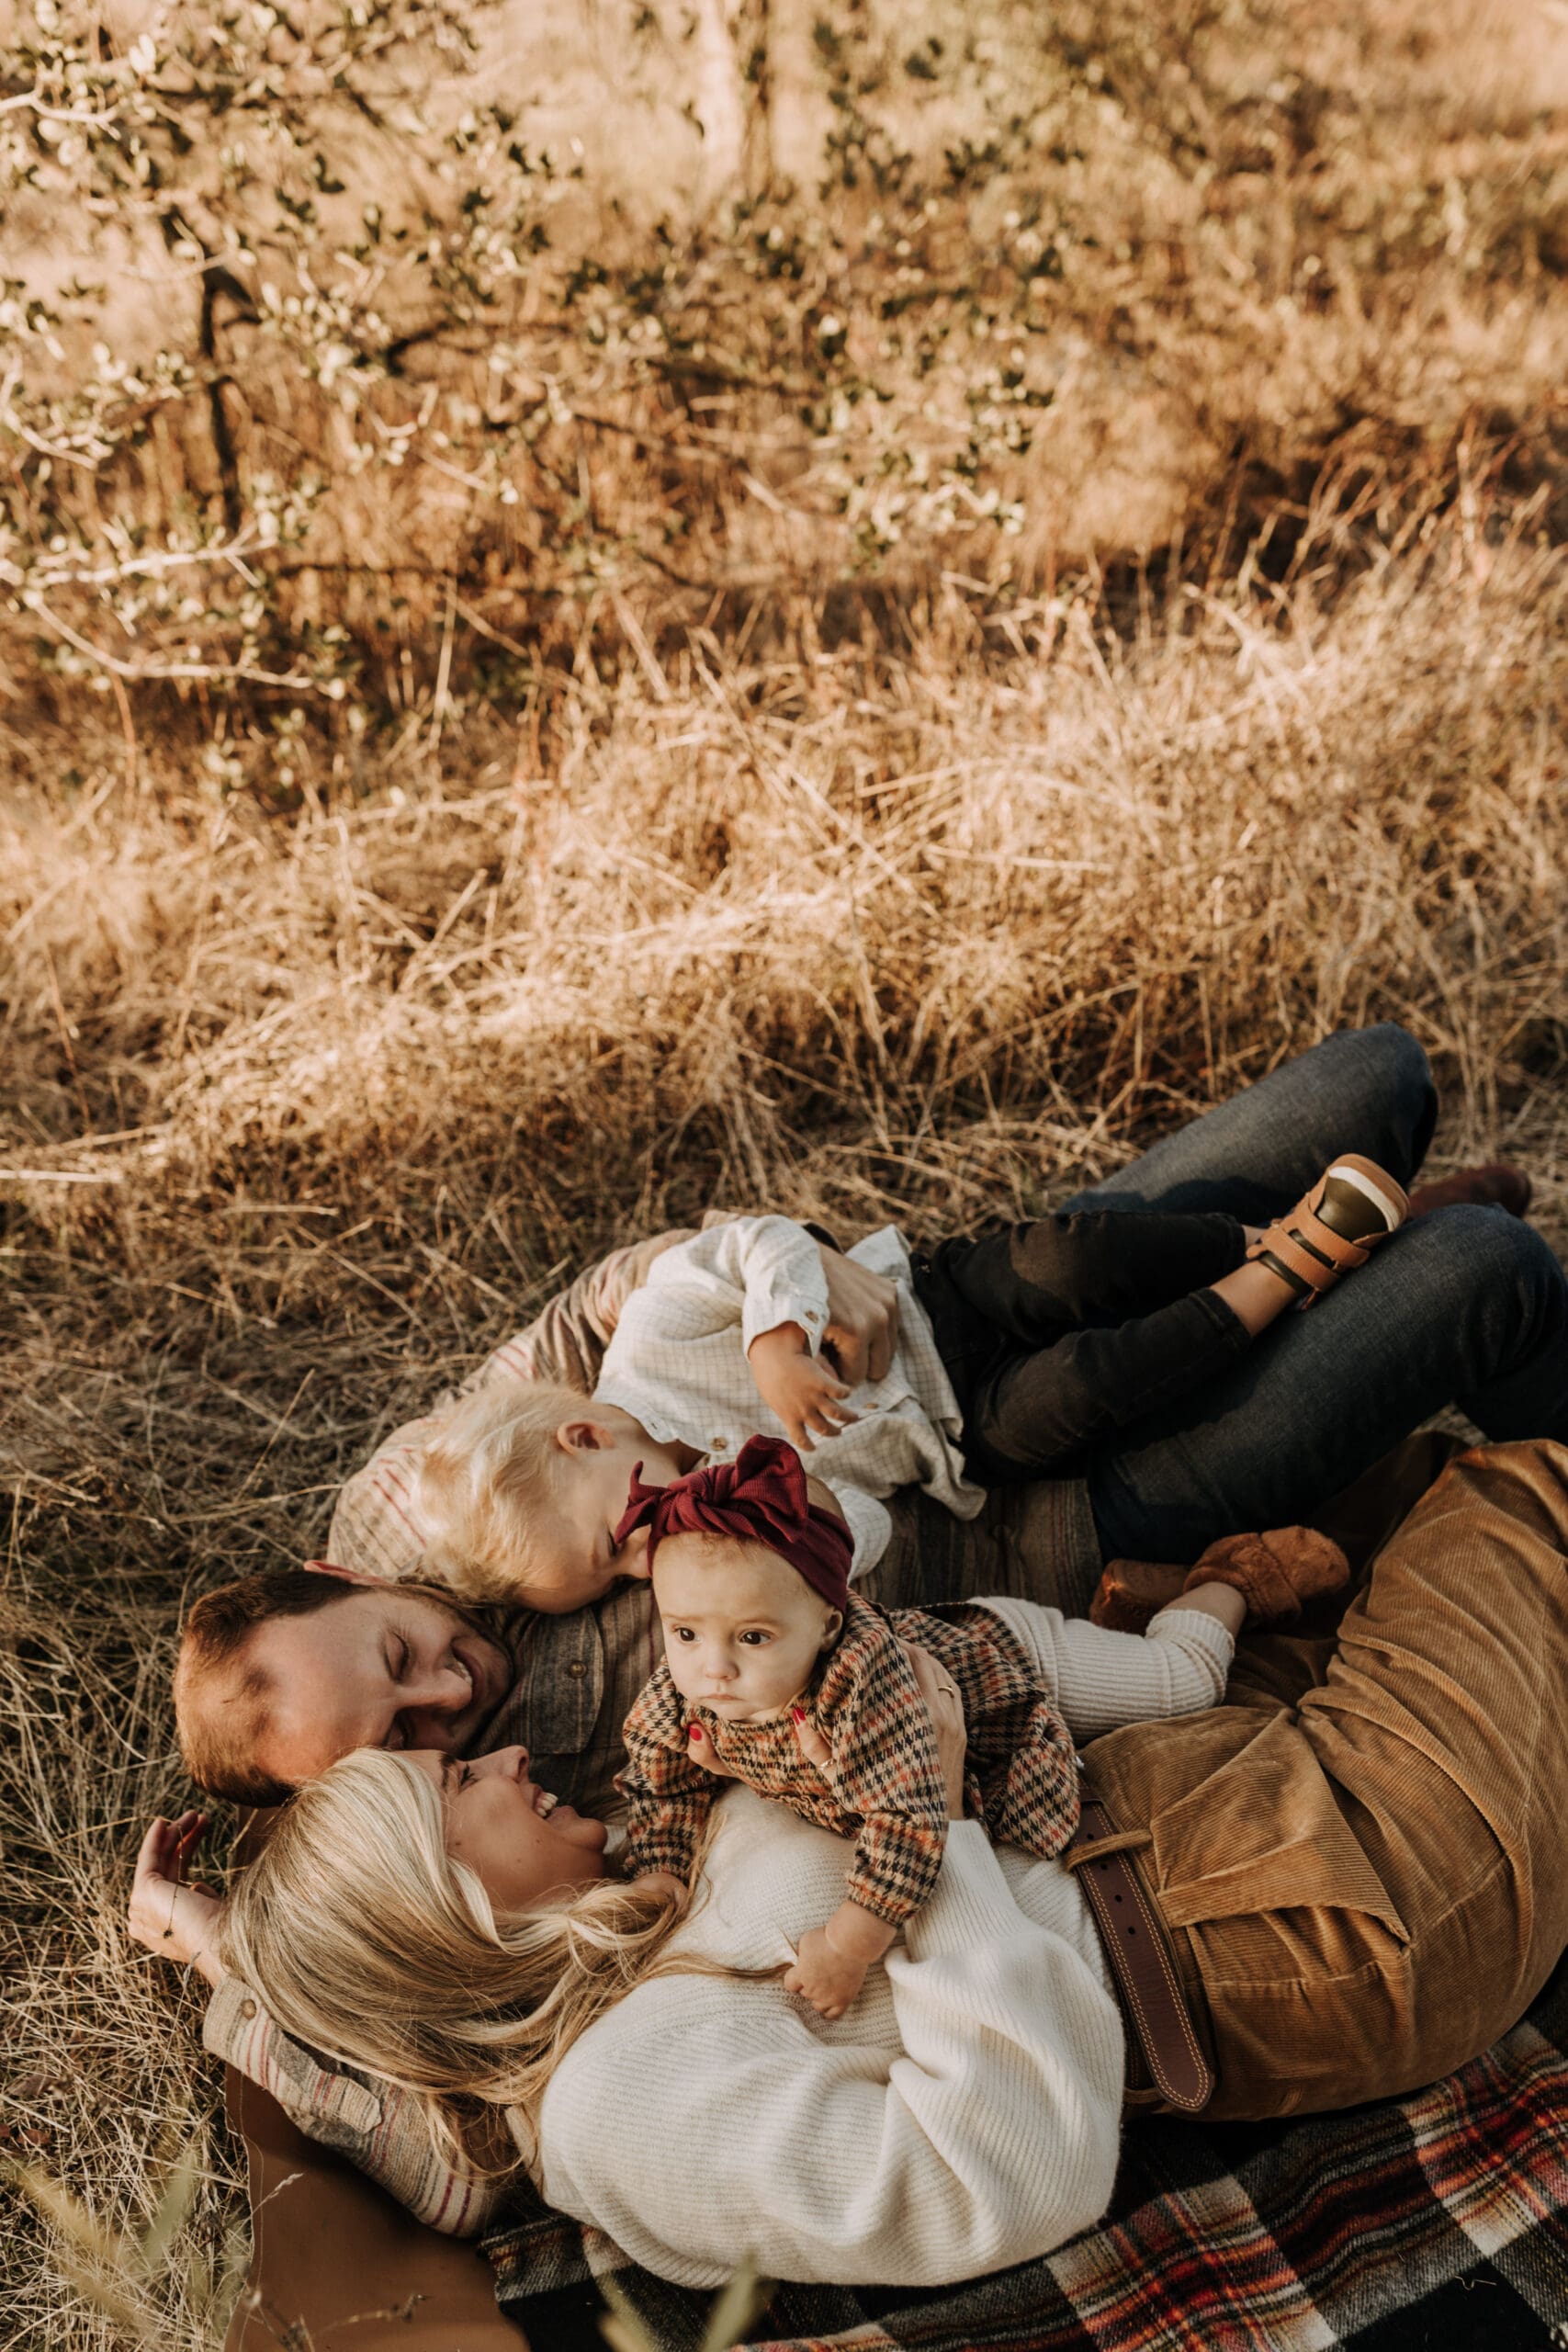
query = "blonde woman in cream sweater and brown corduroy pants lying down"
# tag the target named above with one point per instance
(1355, 1876)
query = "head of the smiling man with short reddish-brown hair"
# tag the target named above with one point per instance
(377, 1669)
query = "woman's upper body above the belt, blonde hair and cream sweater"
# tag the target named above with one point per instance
(438, 1925)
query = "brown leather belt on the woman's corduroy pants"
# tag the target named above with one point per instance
(1139, 1956)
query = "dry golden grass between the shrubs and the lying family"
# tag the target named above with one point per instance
(321, 1104)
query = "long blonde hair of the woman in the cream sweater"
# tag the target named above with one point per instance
(375, 1946)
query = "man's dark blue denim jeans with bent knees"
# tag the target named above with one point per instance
(1466, 1307)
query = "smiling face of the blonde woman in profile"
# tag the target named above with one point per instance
(514, 1836)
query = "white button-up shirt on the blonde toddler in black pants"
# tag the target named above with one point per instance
(678, 1365)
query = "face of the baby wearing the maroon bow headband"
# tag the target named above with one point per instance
(742, 1629)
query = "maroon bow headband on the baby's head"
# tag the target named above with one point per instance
(756, 1499)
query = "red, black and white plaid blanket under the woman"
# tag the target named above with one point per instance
(1428, 2224)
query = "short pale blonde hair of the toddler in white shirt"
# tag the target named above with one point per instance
(485, 1476)
